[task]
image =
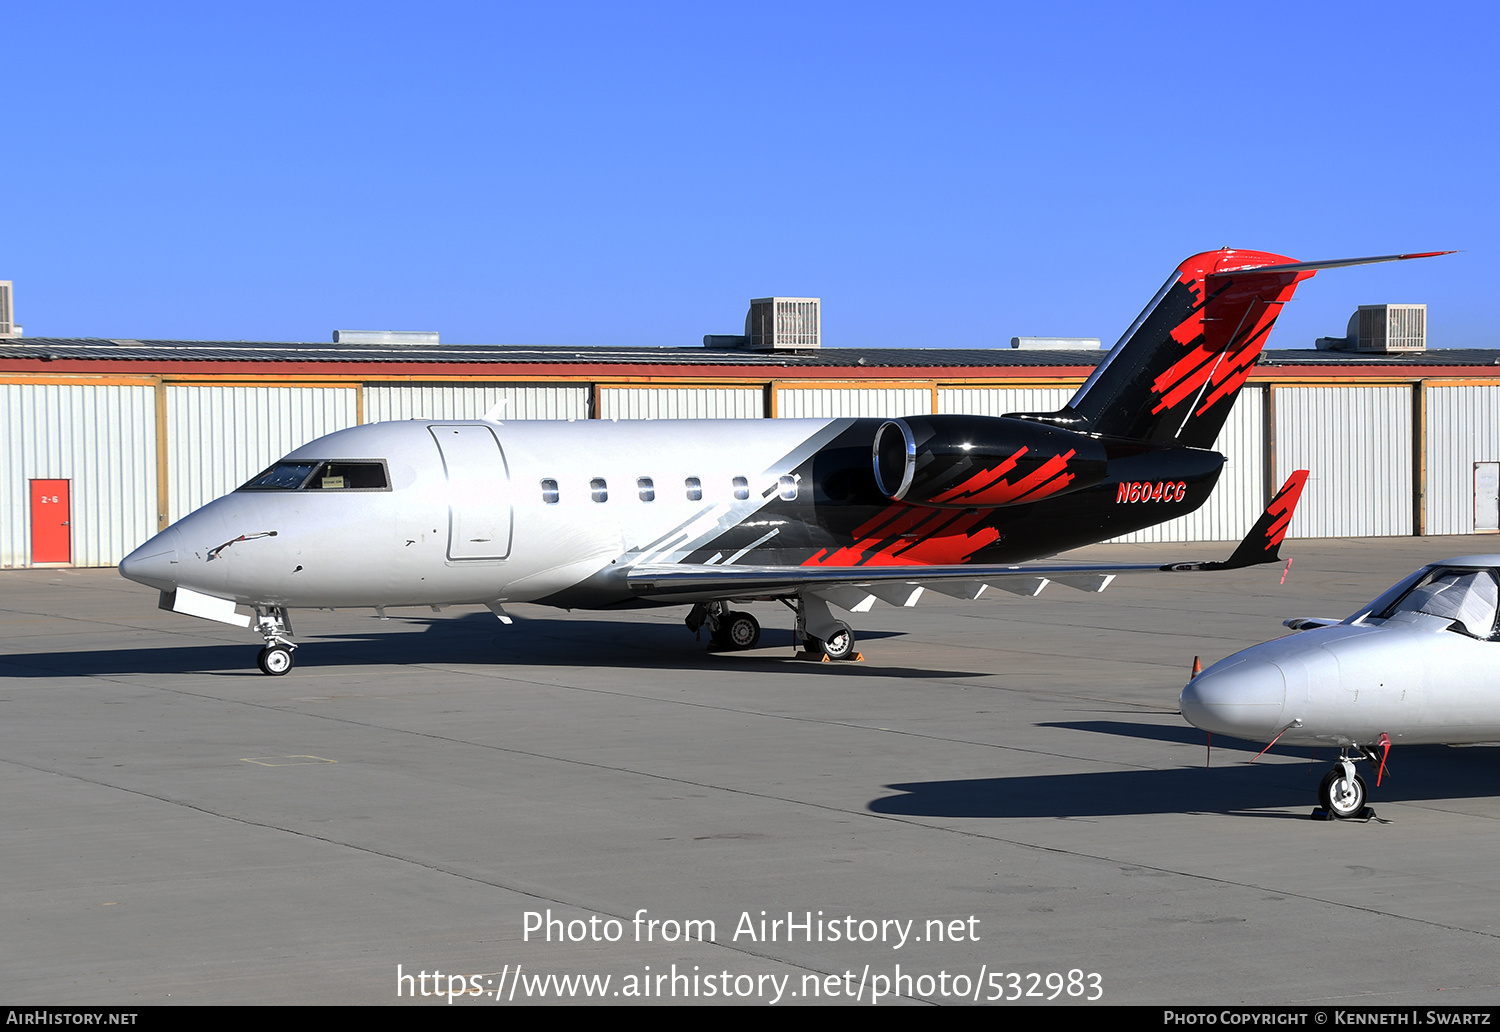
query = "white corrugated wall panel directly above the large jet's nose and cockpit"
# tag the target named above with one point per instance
(221, 437)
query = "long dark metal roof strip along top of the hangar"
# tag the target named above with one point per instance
(275, 353)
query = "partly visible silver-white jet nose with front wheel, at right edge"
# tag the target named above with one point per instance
(1415, 667)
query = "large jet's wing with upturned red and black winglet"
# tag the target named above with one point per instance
(856, 589)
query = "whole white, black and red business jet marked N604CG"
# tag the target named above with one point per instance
(713, 514)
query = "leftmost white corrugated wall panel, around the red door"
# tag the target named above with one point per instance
(103, 439)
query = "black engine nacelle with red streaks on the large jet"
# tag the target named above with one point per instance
(982, 461)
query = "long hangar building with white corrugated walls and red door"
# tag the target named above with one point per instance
(103, 443)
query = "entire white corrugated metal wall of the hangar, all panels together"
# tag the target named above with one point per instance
(1355, 440)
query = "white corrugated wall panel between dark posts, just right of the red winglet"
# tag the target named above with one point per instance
(1357, 445)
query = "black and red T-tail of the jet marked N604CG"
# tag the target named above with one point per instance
(1174, 377)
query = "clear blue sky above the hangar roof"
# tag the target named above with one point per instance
(941, 175)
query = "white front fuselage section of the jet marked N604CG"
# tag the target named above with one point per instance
(445, 535)
